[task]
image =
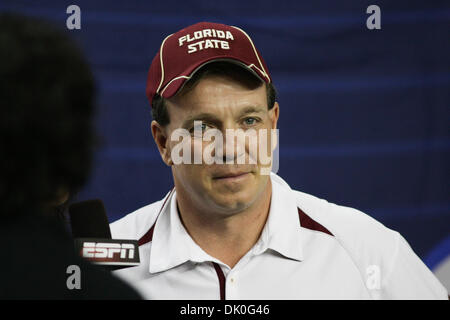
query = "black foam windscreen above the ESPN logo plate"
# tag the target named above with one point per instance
(88, 220)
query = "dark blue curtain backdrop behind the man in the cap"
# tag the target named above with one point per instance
(365, 114)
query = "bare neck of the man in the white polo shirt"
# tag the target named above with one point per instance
(227, 238)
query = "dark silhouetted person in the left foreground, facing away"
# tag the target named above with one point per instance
(46, 143)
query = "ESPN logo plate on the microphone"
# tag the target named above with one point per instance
(109, 252)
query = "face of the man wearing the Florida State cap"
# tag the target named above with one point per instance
(221, 103)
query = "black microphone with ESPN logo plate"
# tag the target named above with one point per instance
(90, 228)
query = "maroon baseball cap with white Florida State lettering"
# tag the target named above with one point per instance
(183, 53)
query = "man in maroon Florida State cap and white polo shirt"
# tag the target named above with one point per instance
(229, 230)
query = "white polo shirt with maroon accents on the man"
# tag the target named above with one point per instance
(308, 249)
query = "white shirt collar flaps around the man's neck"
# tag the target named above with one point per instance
(172, 245)
